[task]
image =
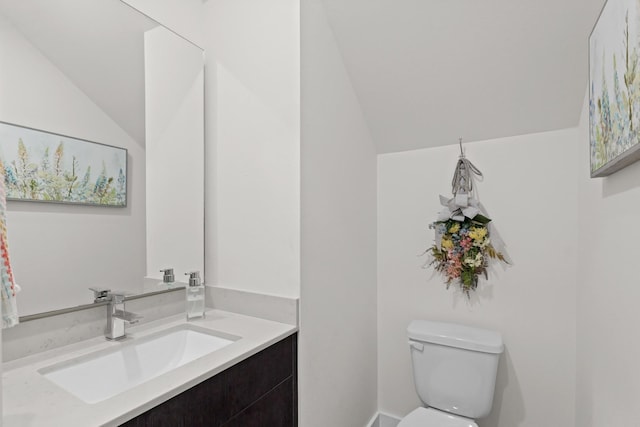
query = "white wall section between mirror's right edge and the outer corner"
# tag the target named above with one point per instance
(252, 104)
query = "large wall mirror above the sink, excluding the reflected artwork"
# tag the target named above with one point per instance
(100, 71)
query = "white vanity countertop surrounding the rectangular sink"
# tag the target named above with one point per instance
(31, 400)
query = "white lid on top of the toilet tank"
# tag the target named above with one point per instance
(459, 336)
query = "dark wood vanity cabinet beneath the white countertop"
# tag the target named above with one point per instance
(260, 391)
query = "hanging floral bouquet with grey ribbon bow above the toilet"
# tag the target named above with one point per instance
(466, 241)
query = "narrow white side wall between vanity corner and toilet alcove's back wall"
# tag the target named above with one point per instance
(337, 347)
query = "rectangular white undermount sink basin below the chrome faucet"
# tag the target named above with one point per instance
(104, 374)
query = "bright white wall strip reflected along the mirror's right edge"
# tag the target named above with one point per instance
(174, 153)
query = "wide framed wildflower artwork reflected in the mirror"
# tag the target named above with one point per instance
(48, 167)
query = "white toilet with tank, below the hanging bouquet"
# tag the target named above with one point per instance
(454, 371)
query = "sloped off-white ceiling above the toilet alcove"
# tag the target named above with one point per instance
(429, 71)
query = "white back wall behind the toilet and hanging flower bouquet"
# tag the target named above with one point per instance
(530, 189)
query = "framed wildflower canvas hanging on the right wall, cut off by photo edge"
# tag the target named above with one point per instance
(614, 88)
